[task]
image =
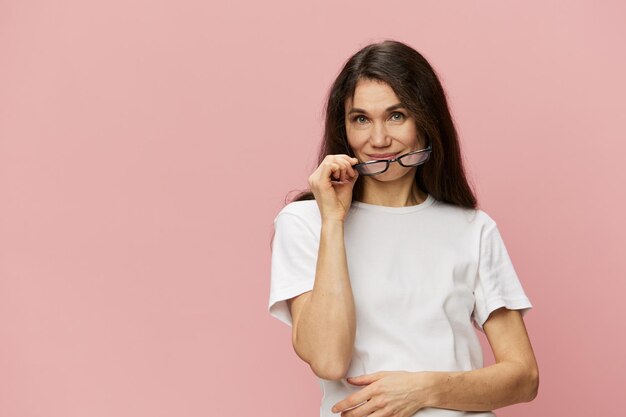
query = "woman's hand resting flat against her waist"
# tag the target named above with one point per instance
(386, 394)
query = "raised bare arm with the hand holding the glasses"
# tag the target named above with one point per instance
(324, 324)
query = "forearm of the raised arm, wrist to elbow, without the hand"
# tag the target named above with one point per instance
(326, 326)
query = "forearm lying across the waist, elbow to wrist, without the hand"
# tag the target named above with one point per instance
(483, 389)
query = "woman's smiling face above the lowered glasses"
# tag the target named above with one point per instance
(379, 127)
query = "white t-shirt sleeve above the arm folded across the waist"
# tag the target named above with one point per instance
(497, 284)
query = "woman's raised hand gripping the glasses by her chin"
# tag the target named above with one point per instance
(334, 198)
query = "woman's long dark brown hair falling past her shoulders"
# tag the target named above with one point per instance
(417, 86)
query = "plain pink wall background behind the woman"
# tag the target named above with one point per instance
(146, 147)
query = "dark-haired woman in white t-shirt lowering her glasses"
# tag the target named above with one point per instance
(384, 268)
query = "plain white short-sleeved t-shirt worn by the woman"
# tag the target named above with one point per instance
(422, 277)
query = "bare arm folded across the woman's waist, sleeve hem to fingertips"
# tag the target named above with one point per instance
(512, 379)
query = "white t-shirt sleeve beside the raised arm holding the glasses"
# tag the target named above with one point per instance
(294, 259)
